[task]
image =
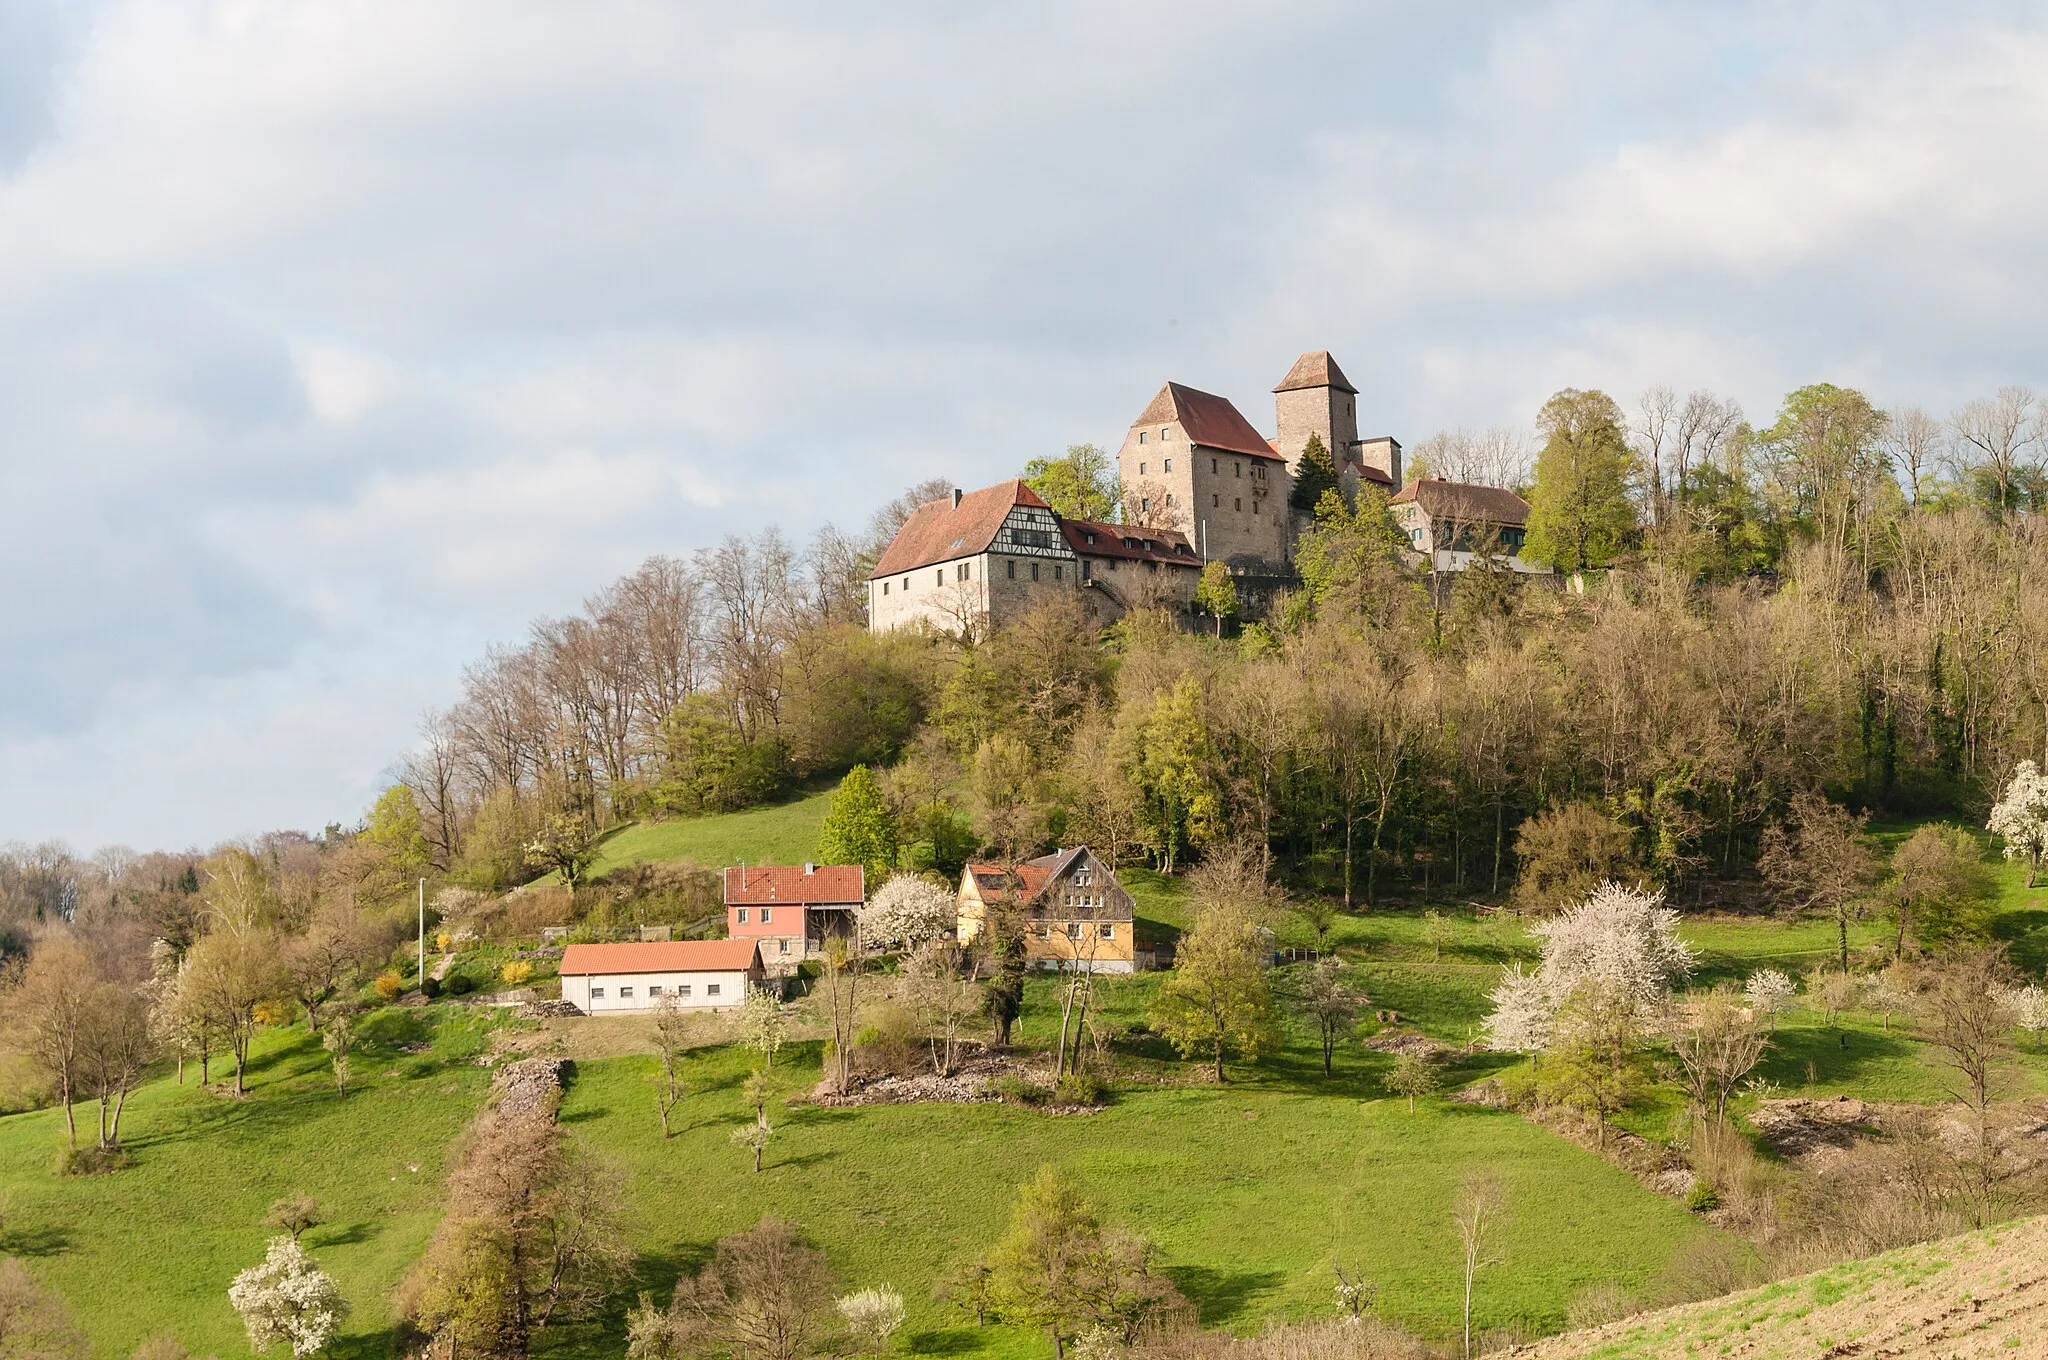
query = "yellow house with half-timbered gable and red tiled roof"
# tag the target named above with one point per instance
(1072, 908)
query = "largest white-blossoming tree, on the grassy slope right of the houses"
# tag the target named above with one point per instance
(1619, 937)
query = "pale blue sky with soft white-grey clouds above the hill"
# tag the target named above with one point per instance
(341, 339)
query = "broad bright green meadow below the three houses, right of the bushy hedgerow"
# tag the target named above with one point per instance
(1252, 1191)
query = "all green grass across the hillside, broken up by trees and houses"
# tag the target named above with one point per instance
(1252, 1191)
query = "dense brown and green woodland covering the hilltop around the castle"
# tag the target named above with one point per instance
(1846, 601)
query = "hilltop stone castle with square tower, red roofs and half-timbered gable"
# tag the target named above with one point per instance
(1201, 484)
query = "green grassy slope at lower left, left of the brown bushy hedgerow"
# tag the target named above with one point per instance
(155, 1246)
